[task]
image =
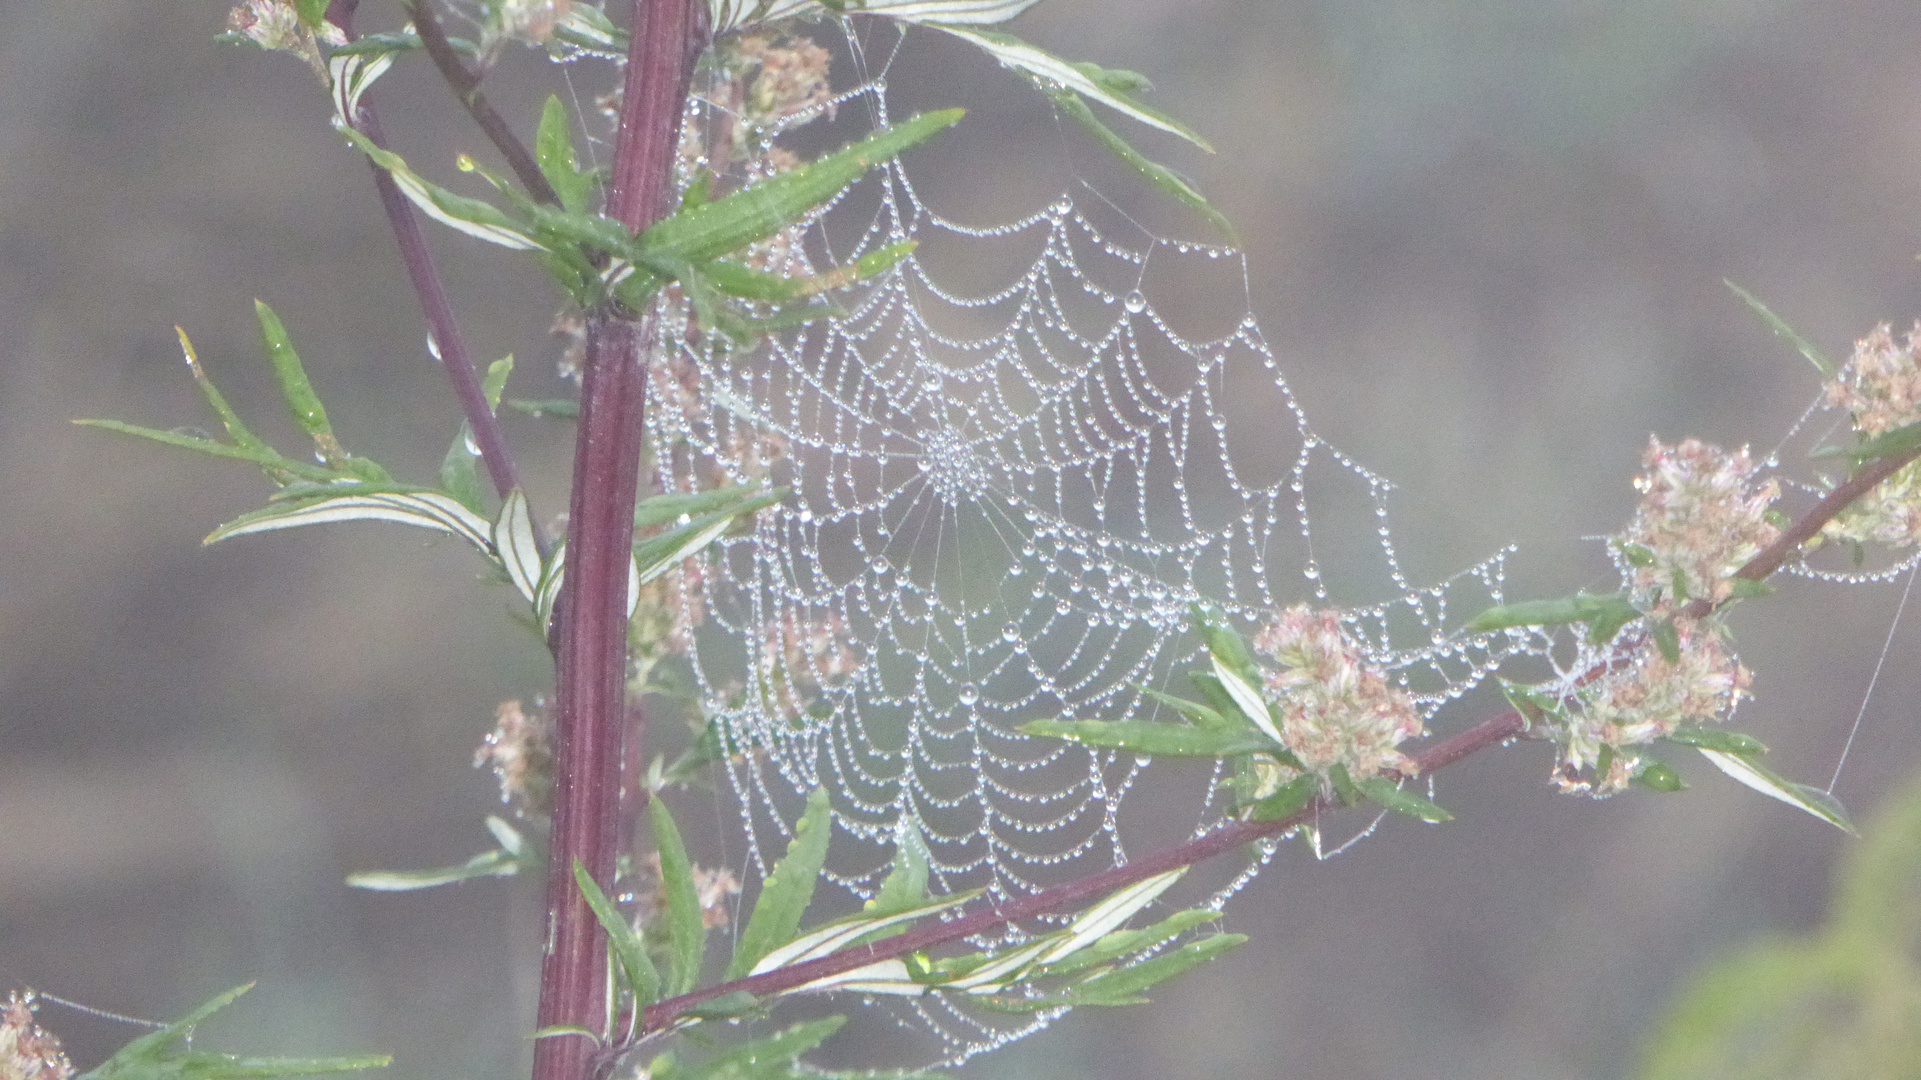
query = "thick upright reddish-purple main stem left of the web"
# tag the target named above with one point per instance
(591, 633)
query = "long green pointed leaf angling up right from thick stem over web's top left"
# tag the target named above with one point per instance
(721, 228)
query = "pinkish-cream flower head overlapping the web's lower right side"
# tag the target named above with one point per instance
(1336, 708)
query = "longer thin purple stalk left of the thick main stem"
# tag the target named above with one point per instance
(433, 295)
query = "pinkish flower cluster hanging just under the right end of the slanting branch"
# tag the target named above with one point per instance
(1649, 699)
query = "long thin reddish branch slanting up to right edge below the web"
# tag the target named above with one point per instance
(1495, 731)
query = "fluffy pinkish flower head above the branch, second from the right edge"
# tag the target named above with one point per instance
(1701, 518)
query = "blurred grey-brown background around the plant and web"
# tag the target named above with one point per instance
(1488, 241)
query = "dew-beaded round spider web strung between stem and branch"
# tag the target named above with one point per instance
(1008, 497)
